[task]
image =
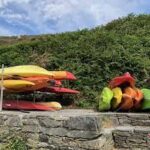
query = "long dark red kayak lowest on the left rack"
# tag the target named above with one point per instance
(24, 105)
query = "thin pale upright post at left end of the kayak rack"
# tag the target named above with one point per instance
(2, 88)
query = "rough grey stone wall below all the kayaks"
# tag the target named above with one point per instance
(74, 129)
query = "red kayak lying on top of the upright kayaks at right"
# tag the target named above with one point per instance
(125, 78)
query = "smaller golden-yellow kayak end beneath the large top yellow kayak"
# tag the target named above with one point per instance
(16, 84)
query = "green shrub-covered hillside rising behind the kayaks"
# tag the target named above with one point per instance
(94, 56)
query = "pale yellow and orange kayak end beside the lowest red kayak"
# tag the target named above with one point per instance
(54, 105)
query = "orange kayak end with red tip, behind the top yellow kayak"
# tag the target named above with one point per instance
(62, 75)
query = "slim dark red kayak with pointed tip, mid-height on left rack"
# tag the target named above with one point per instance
(59, 90)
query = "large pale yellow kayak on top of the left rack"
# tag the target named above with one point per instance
(25, 71)
